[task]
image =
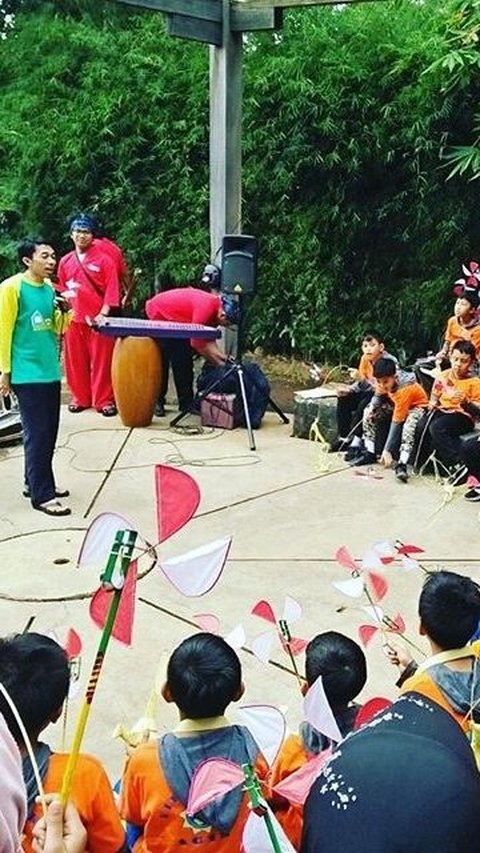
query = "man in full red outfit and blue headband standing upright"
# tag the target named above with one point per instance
(91, 277)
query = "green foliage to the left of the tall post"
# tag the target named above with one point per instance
(111, 115)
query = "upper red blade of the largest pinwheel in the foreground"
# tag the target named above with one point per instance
(178, 497)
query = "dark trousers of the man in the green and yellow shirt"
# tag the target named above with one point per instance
(39, 404)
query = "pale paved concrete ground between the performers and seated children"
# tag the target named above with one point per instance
(287, 513)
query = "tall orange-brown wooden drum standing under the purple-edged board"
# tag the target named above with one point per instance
(136, 379)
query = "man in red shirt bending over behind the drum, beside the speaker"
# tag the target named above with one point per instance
(189, 305)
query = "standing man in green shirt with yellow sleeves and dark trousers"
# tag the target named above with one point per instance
(31, 318)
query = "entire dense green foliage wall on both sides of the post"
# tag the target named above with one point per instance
(361, 137)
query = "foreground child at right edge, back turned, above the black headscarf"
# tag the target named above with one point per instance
(449, 610)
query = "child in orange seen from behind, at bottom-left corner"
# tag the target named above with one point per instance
(35, 671)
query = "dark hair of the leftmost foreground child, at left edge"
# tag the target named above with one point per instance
(36, 673)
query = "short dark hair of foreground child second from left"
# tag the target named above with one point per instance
(204, 675)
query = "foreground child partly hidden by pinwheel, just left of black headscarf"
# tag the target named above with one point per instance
(343, 667)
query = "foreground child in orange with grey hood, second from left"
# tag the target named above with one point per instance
(203, 677)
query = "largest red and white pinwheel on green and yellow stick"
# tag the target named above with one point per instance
(112, 607)
